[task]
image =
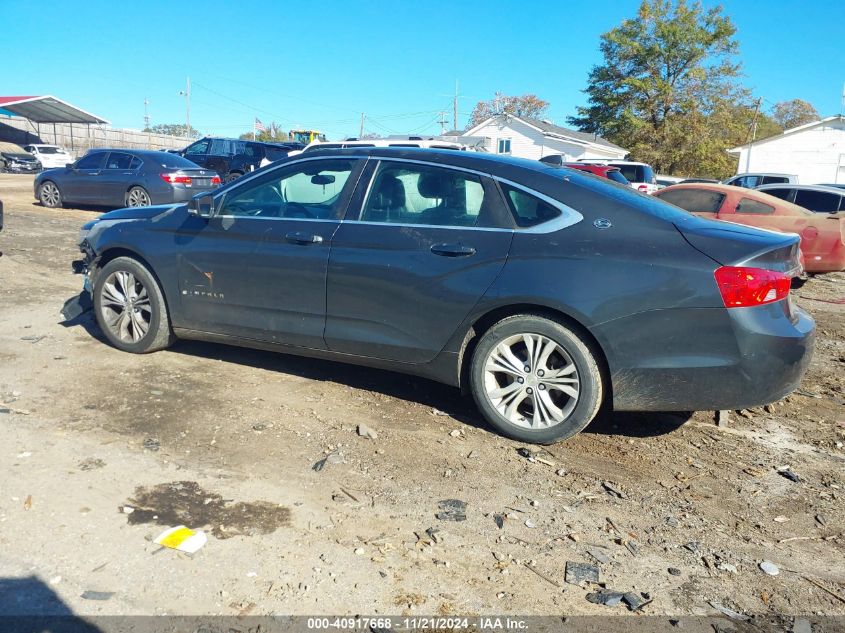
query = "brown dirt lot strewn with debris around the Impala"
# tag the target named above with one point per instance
(226, 440)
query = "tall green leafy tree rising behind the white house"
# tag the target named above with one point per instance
(667, 89)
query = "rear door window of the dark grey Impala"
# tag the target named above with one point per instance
(404, 193)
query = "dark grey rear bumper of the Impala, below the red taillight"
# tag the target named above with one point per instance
(714, 359)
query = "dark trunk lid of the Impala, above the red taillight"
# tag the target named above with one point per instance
(738, 245)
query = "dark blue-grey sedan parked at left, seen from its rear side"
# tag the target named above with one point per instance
(124, 178)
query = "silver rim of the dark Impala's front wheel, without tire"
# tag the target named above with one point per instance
(125, 306)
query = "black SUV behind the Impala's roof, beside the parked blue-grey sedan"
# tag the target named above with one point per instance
(232, 158)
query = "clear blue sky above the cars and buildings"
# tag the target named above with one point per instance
(320, 64)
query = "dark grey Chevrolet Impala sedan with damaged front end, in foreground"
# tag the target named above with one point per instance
(542, 290)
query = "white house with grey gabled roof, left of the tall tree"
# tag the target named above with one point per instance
(525, 137)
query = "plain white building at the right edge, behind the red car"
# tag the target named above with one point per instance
(814, 152)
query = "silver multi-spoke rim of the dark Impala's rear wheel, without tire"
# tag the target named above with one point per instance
(531, 381)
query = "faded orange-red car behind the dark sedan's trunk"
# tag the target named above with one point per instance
(822, 235)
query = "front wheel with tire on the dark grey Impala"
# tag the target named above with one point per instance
(147, 328)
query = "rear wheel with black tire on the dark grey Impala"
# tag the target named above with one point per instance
(569, 399)
